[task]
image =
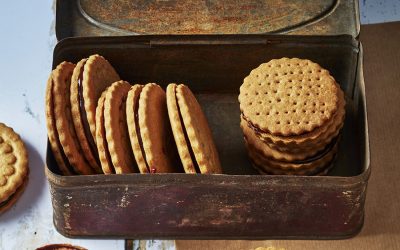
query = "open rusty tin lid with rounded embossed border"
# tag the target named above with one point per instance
(127, 17)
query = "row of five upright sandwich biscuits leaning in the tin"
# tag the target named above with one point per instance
(98, 123)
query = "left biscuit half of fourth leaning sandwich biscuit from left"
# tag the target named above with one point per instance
(132, 117)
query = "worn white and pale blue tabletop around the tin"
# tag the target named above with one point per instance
(26, 43)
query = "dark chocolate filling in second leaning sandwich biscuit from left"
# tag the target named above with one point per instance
(84, 120)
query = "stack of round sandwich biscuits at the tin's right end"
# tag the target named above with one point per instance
(292, 111)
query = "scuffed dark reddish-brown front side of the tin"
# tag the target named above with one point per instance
(217, 207)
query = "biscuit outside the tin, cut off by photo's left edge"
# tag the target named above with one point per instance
(13, 167)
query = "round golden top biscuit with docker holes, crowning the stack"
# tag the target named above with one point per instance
(288, 96)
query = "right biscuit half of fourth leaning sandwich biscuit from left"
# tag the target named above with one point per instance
(159, 149)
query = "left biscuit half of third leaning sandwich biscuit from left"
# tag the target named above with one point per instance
(101, 140)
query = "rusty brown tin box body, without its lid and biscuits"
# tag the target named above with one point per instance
(238, 204)
